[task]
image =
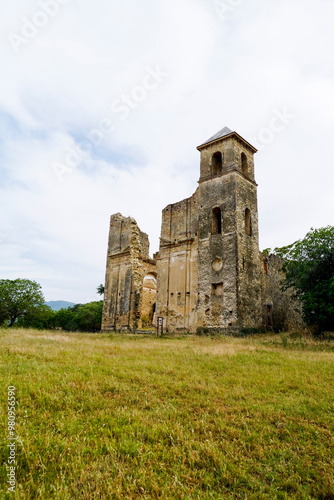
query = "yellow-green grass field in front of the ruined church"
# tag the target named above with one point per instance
(125, 417)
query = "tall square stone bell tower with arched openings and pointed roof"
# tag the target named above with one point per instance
(229, 284)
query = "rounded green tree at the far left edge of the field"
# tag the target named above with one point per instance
(18, 298)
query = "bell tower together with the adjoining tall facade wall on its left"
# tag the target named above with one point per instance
(208, 267)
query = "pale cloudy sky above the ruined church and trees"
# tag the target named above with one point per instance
(103, 104)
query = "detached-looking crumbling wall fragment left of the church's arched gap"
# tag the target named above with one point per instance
(128, 263)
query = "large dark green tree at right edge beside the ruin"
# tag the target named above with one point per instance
(309, 269)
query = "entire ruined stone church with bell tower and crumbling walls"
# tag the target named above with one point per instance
(209, 275)
